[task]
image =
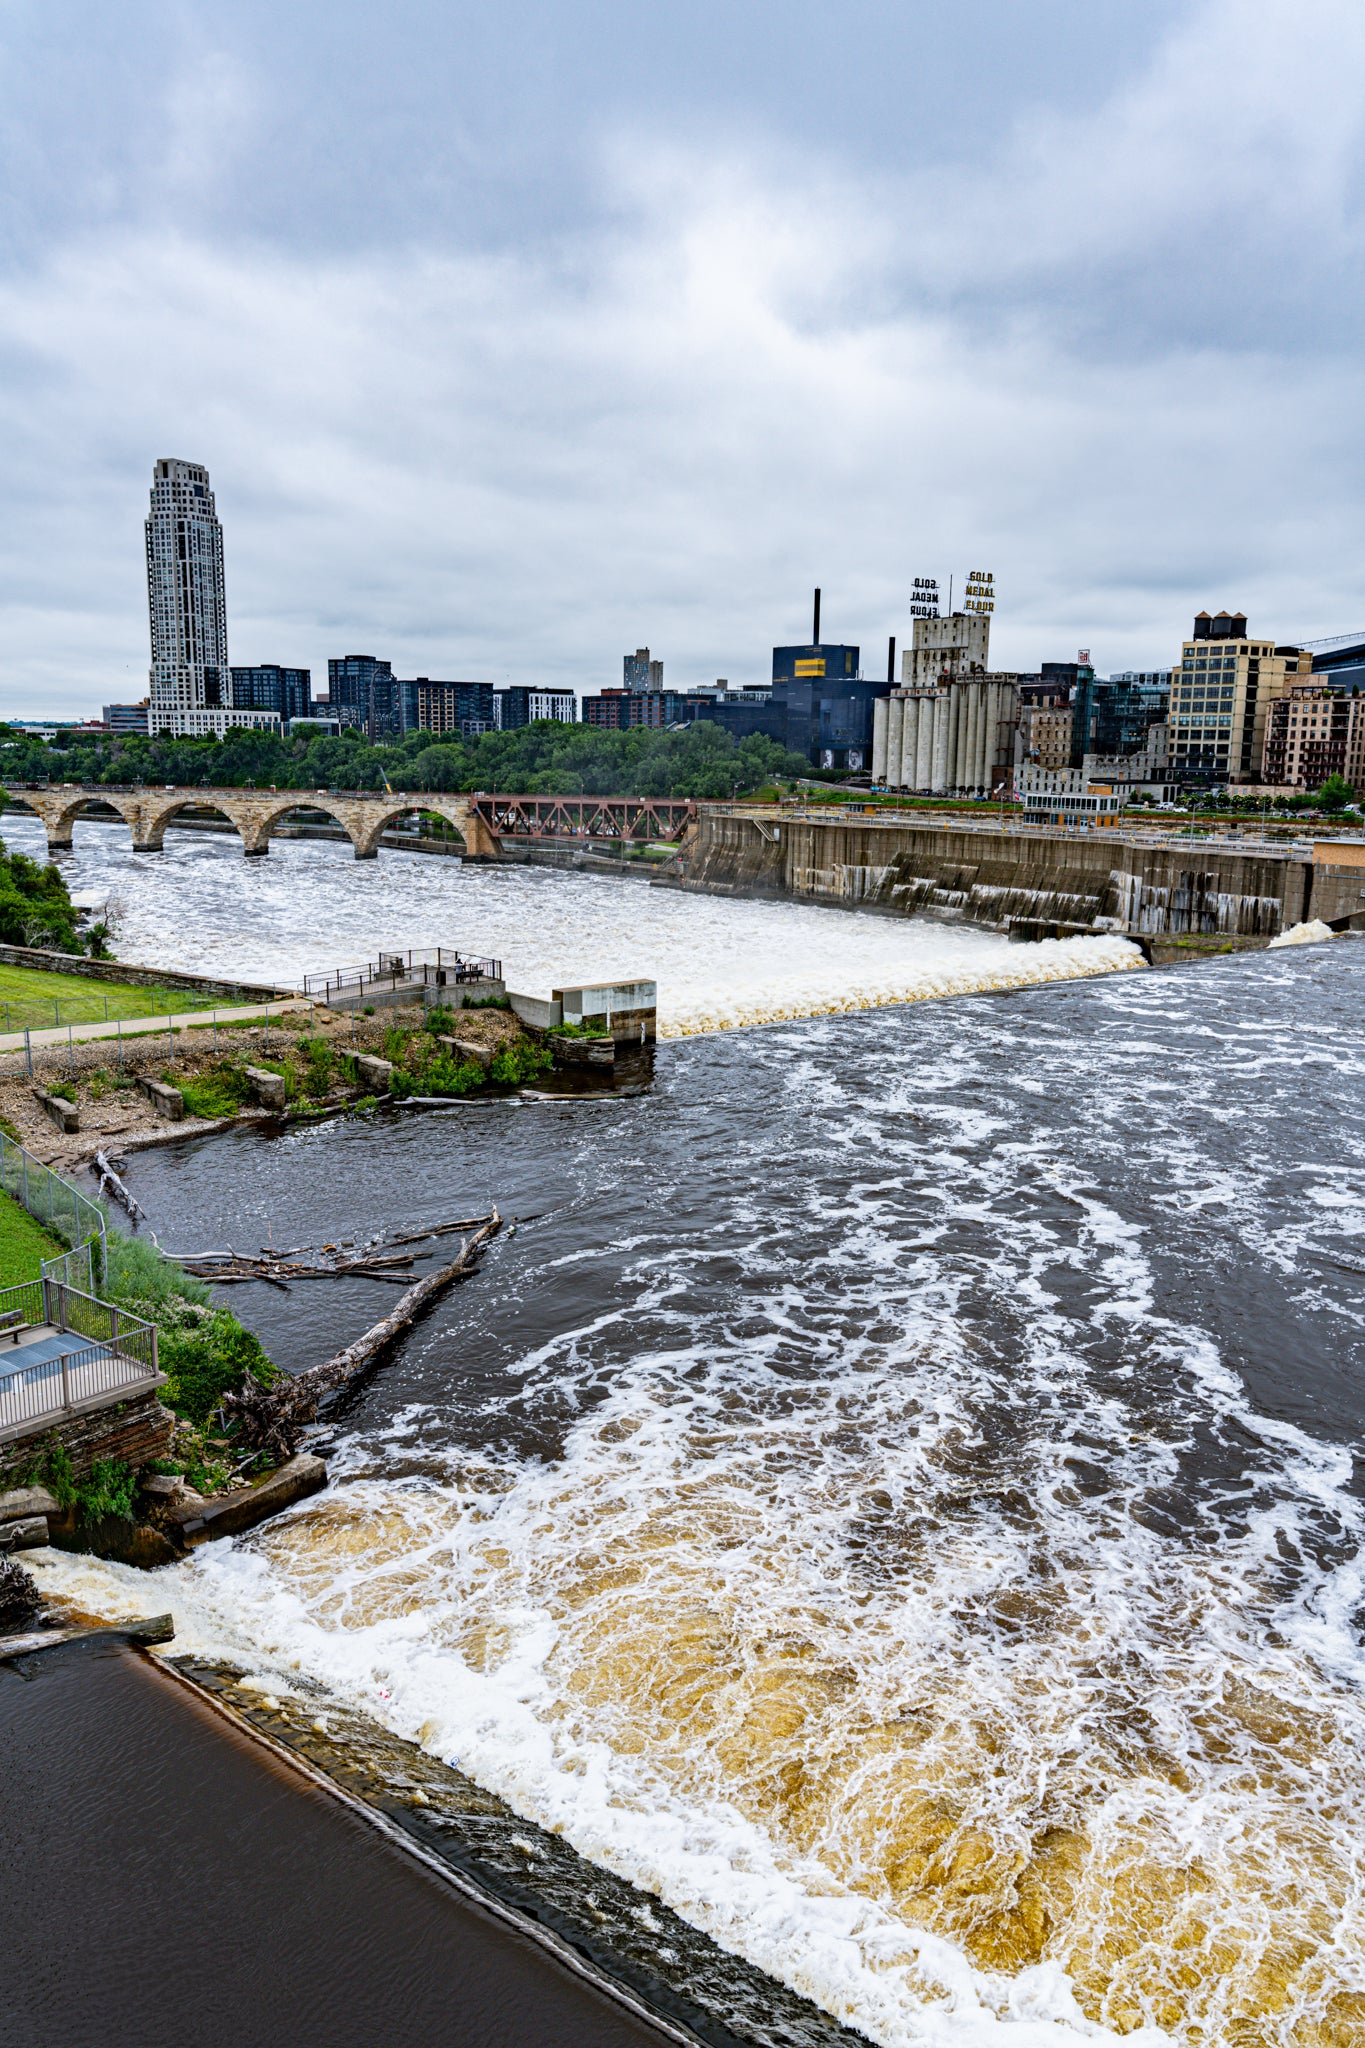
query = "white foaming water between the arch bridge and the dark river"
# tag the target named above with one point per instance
(310, 906)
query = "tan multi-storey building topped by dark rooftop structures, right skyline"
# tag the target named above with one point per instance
(1221, 699)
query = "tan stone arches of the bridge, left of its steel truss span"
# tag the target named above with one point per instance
(365, 816)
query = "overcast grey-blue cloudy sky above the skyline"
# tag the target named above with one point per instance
(517, 337)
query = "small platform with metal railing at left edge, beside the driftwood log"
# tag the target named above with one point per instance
(42, 1381)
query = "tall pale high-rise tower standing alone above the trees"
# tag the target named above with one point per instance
(191, 681)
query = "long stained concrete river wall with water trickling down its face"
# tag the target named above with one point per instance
(1008, 880)
